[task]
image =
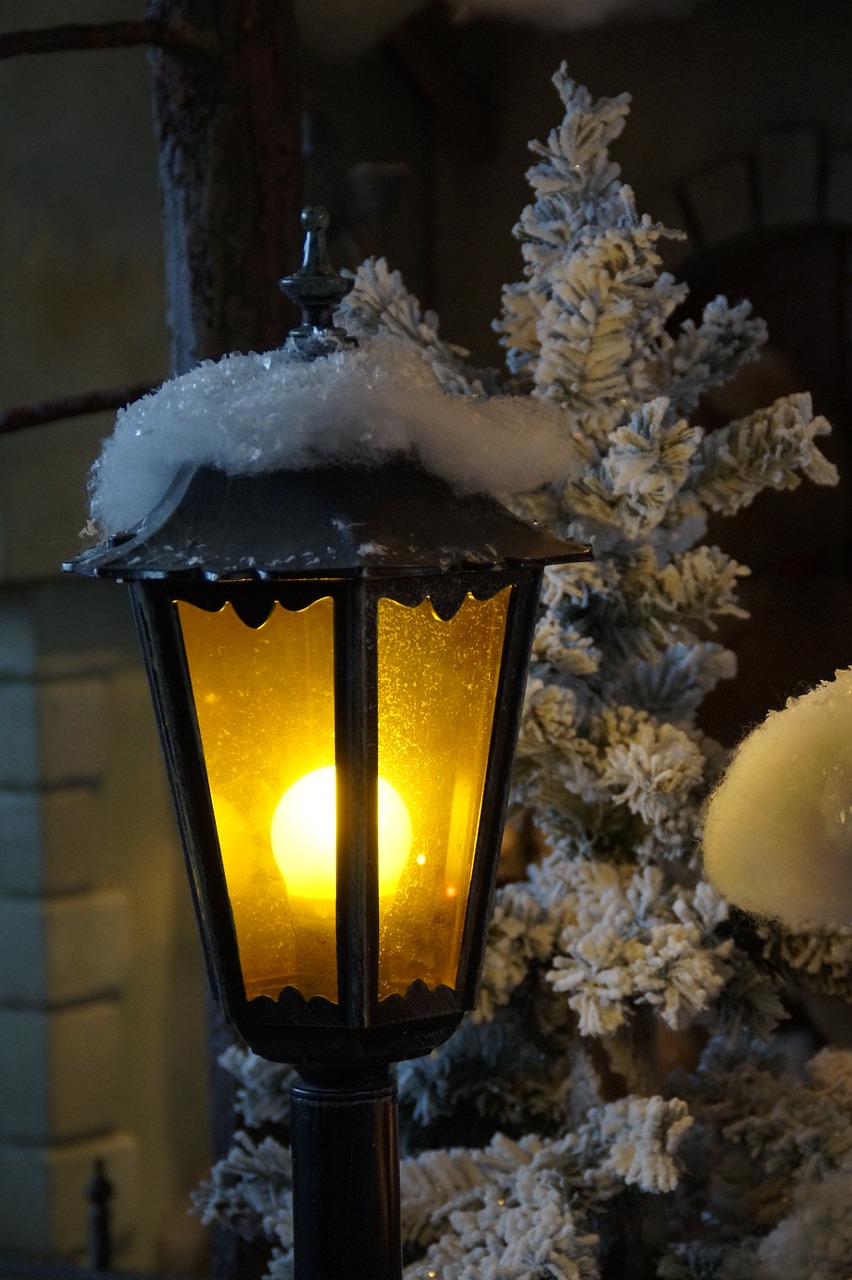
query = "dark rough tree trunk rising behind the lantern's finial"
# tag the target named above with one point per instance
(228, 127)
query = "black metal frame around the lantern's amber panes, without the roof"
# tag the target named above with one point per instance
(314, 1031)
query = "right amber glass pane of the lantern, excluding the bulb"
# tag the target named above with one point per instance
(437, 693)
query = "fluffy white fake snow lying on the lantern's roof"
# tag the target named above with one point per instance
(250, 414)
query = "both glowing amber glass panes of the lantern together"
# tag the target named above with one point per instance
(264, 700)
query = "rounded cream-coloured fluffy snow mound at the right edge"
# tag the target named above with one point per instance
(778, 830)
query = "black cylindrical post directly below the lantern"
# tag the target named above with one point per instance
(346, 1177)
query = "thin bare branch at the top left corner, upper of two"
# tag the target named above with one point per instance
(108, 35)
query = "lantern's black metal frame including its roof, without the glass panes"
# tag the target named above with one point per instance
(358, 536)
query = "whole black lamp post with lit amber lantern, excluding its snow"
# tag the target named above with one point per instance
(337, 660)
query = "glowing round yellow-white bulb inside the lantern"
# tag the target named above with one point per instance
(304, 835)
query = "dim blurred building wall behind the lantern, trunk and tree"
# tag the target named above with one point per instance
(416, 134)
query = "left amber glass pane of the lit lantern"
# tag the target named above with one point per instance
(265, 706)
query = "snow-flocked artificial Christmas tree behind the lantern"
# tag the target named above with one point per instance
(546, 1141)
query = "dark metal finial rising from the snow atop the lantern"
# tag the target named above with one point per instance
(318, 290)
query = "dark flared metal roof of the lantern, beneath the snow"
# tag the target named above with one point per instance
(327, 520)
